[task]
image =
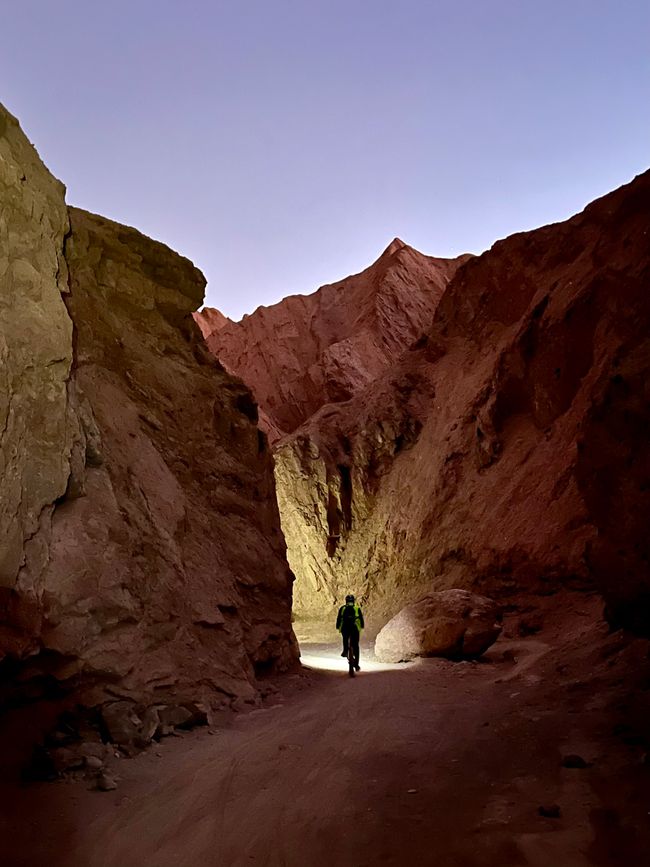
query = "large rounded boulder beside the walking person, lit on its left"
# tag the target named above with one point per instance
(453, 623)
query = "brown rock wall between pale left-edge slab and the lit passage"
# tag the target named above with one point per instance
(188, 570)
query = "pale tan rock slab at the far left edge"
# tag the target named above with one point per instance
(35, 355)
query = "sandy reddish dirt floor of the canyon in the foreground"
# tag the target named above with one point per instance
(433, 763)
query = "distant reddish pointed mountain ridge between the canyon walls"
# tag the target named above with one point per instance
(311, 350)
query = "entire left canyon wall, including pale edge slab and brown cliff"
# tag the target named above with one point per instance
(141, 555)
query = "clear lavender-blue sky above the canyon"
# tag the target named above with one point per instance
(282, 144)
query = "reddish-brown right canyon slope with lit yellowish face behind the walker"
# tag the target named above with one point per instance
(504, 451)
